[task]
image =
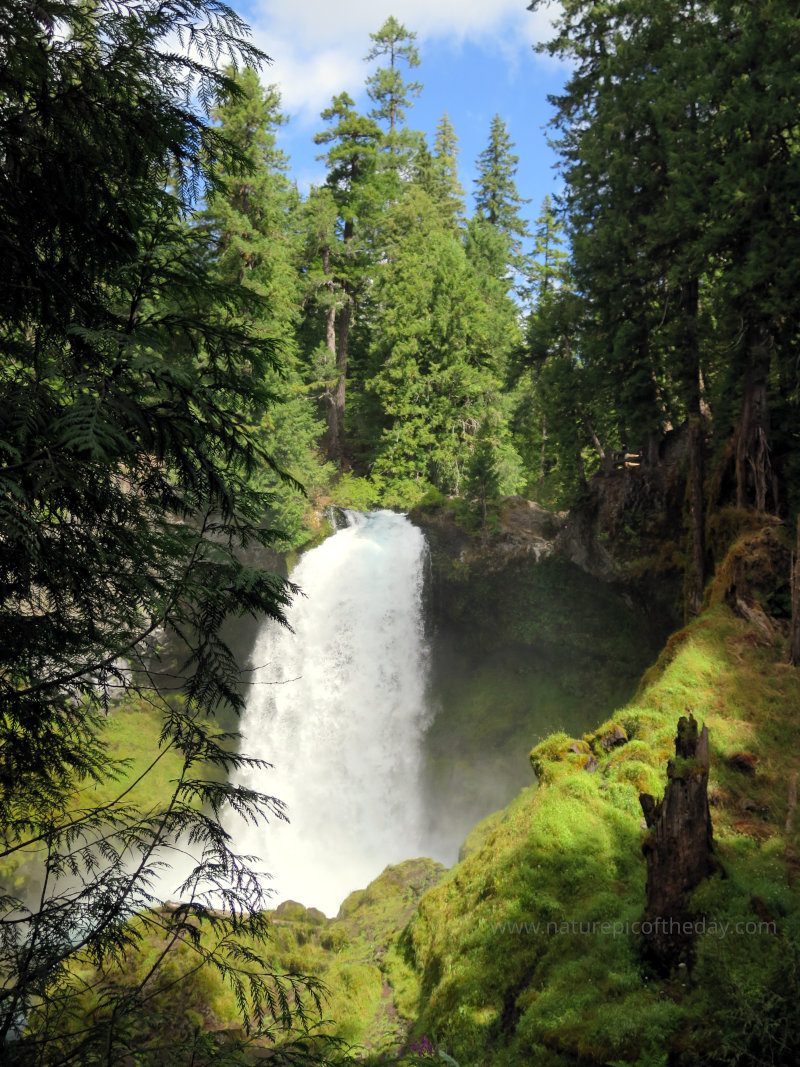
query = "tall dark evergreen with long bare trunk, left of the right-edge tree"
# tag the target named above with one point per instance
(628, 115)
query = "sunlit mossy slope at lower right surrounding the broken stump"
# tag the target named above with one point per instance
(527, 953)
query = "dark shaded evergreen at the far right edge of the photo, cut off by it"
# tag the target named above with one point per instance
(755, 238)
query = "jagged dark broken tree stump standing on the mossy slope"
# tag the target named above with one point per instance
(678, 850)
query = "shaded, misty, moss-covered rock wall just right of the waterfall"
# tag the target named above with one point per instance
(519, 652)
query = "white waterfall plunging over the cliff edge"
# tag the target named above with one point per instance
(343, 715)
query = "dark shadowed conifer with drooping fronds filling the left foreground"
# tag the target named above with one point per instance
(132, 389)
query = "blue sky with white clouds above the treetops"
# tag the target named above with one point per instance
(477, 61)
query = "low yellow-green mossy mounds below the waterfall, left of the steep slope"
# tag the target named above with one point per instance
(367, 992)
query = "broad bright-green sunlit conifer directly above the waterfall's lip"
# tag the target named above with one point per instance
(431, 353)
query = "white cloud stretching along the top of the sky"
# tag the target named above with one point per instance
(318, 47)
